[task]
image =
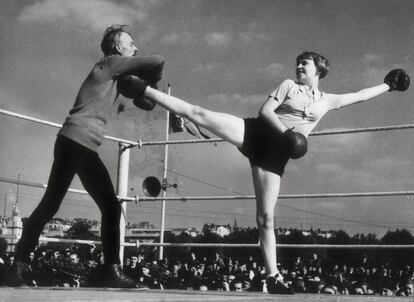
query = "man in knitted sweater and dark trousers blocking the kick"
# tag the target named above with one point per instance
(76, 153)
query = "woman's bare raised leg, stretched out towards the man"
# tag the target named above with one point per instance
(226, 126)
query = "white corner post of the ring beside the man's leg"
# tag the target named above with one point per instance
(122, 191)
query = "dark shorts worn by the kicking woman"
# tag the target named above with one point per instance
(264, 147)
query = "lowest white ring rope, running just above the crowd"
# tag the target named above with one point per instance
(228, 245)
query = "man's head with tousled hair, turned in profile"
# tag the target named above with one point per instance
(117, 41)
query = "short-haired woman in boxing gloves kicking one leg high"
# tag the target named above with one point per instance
(269, 140)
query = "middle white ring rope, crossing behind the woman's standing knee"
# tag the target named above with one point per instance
(241, 197)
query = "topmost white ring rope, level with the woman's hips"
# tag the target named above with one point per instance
(140, 143)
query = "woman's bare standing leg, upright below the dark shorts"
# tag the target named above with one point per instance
(266, 186)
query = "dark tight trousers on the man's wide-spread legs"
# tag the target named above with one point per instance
(70, 158)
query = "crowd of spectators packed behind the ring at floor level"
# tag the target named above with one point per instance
(312, 275)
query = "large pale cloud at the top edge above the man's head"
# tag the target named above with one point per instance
(94, 14)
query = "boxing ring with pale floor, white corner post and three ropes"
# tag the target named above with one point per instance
(86, 294)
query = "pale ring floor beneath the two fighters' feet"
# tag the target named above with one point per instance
(46, 294)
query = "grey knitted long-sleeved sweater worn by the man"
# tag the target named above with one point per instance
(96, 100)
